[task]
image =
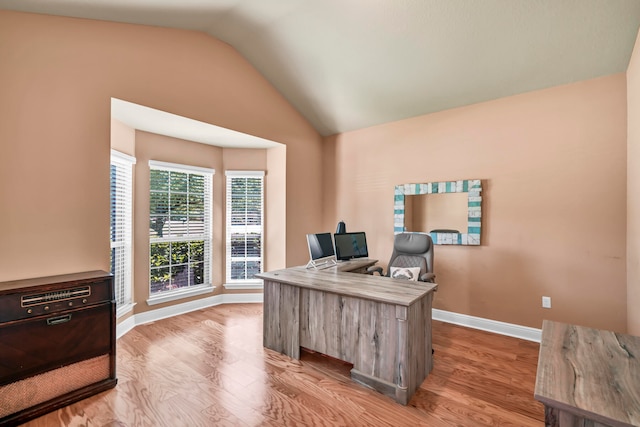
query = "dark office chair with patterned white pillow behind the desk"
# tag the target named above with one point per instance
(412, 258)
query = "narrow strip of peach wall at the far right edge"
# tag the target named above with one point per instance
(633, 192)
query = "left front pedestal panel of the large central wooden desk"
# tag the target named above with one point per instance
(281, 318)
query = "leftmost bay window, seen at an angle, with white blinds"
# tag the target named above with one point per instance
(121, 224)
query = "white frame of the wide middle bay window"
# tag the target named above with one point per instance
(207, 286)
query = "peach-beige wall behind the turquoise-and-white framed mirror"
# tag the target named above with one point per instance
(553, 168)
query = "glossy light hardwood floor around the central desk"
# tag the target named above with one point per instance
(208, 368)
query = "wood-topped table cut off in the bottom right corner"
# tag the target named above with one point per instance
(588, 377)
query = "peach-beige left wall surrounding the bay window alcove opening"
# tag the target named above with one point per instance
(57, 78)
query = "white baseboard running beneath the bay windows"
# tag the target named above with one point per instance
(174, 310)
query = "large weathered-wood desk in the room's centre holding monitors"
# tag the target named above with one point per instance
(380, 325)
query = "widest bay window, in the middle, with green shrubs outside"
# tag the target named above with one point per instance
(179, 228)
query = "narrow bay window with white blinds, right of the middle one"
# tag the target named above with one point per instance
(244, 225)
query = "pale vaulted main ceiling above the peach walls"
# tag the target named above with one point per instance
(351, 64)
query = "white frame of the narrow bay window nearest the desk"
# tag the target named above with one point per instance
(254, 283)
